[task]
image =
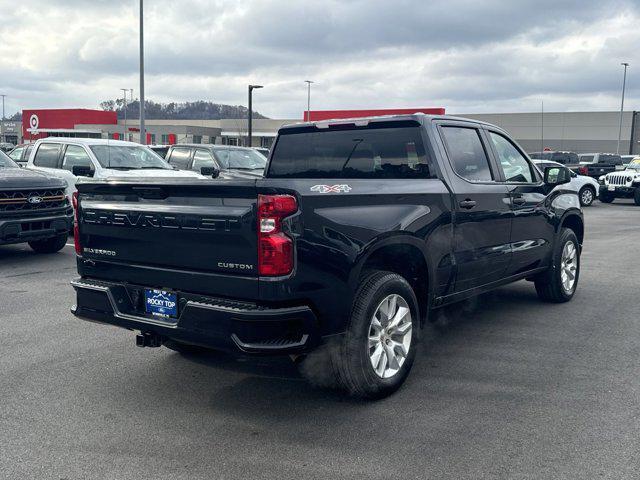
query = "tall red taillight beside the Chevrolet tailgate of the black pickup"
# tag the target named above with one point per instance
(275, 249)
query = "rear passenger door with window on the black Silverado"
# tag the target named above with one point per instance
(483, 212)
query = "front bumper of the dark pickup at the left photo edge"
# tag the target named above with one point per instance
(29, 228)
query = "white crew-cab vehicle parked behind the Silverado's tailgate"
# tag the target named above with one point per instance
(99, 158)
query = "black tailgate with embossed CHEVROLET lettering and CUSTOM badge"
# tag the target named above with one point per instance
(203, 227)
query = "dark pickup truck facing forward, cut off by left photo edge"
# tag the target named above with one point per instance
(33, 208)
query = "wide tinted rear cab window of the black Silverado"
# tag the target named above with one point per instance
(377, 150)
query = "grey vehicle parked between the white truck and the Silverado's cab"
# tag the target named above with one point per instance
(238, 161)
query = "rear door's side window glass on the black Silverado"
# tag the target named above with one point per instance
(467, 155)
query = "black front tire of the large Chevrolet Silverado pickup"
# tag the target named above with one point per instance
(549, 285)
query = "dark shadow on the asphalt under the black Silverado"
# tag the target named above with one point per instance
(260, 389)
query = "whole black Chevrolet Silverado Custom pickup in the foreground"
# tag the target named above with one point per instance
(358, 230)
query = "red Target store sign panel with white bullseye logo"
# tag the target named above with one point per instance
(44, 122)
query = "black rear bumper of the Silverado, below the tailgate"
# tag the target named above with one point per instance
(209, 322)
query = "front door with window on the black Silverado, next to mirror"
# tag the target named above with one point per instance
(531, 232)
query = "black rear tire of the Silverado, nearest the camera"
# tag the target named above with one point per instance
(352, 358)
